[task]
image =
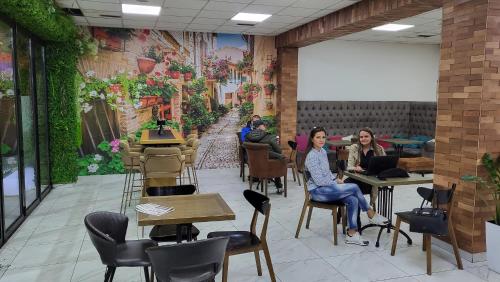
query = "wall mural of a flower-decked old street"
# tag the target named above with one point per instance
(129, 78)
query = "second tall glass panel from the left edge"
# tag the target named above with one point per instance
(23, 47)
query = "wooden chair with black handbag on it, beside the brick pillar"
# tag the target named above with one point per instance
(438, 197)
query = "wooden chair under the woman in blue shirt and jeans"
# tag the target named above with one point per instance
(337, 208)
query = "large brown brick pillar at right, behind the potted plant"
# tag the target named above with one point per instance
(468, 116)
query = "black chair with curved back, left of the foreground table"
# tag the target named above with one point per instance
(107, 231)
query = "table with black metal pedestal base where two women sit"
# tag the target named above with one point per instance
(385, 189)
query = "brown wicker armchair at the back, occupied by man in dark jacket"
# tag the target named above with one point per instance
(262, 167)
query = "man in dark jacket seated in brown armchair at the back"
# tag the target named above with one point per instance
(259, 135)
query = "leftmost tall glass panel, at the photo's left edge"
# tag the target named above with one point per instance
(8, 129)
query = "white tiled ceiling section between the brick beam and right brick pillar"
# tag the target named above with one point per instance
(428, 23)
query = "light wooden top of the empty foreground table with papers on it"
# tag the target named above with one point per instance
(188, 209)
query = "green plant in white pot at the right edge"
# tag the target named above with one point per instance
(491, 186)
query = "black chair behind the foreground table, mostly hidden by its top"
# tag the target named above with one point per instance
(168, 232)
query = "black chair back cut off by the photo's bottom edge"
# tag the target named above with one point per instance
(193, 261)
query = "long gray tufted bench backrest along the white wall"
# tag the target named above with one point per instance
(346, 118)
